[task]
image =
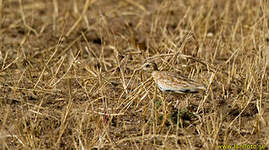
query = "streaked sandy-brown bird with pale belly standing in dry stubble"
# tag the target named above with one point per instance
(170, 81)
